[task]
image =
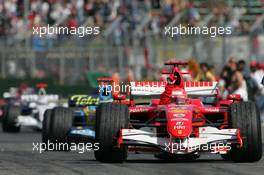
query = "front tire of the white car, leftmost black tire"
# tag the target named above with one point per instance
(10, 119)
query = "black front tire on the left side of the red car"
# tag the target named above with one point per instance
(110, 118)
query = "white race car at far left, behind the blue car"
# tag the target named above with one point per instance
(27, 109)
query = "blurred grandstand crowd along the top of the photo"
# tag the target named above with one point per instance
(16, 19)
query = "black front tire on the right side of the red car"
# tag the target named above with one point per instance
(246, 117)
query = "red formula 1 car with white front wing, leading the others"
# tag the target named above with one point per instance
(184, 120)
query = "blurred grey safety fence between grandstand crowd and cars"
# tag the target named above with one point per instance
(71, 64)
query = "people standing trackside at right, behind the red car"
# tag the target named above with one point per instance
(237, 76)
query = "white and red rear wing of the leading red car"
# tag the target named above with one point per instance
(157, 88)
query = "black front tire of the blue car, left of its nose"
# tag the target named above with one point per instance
(61, 123)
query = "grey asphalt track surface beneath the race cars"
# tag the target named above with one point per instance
(17, 157)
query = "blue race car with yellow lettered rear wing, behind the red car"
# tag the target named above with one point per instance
(76, 123)
